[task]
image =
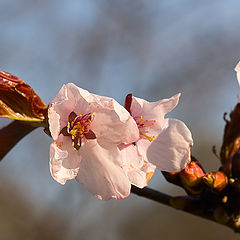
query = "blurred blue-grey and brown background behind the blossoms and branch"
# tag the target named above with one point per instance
(153, 49)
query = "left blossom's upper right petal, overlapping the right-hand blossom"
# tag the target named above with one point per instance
(112, 123)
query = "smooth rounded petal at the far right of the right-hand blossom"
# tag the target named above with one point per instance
(170, 151)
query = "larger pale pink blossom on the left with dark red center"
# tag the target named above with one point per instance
(86, 129)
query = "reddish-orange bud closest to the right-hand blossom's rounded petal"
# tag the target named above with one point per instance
(191, 178)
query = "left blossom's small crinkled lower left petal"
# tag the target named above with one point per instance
(64, 160)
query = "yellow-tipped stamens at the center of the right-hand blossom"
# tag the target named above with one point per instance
(142, 125)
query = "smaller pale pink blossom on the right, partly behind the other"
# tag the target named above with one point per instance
(163, 143)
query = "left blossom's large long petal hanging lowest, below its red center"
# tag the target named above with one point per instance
(101, 172)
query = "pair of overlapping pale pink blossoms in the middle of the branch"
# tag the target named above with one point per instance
(107, 147)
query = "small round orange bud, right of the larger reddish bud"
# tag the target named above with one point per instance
(217, 181)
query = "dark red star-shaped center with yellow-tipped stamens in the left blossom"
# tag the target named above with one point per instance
(78, 128)
